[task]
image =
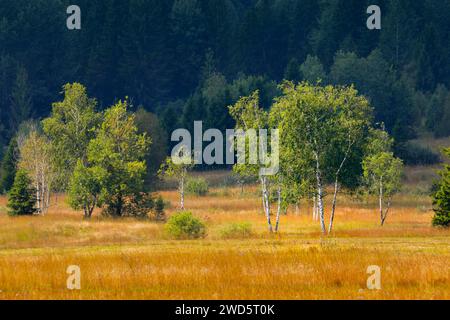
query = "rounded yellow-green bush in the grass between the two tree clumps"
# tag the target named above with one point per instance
(183, 225)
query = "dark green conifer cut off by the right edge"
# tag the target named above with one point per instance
(441, 198)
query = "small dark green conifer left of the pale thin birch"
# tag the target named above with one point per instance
(22, 197)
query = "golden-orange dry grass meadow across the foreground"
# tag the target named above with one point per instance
(129, 259)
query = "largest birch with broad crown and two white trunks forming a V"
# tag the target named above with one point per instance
(323, 128)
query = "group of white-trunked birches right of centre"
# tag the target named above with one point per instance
(326, 134)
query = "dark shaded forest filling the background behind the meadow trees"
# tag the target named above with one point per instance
(187, 60)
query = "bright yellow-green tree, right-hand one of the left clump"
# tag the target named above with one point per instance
(118, 151)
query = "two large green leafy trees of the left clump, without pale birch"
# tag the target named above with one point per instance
(108, 151)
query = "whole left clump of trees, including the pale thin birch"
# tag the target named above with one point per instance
(99, 158)
